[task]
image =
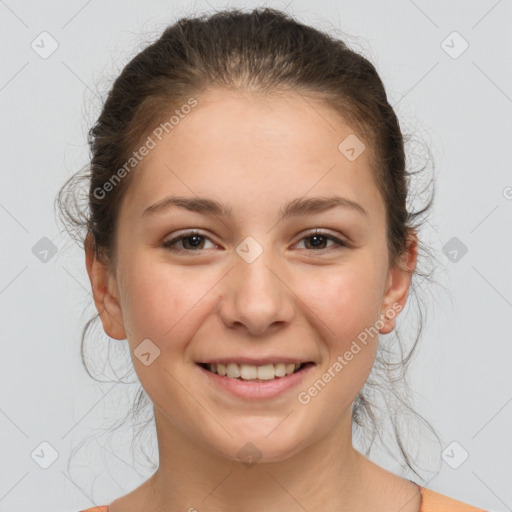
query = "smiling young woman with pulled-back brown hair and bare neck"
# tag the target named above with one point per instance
(248, 236)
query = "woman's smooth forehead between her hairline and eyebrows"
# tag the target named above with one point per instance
(235, 146)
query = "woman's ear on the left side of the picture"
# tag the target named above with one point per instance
(104, 289)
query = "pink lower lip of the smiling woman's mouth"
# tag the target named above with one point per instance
(255, 390)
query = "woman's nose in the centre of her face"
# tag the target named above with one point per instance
(256, 297)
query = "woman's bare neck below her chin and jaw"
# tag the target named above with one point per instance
(326, 475)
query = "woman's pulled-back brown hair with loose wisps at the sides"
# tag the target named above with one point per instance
(261, 51)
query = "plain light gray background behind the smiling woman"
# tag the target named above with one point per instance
(459, 105)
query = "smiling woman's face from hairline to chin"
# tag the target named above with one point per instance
(253, 285)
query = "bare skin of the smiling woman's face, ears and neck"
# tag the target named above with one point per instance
(254, 153)
